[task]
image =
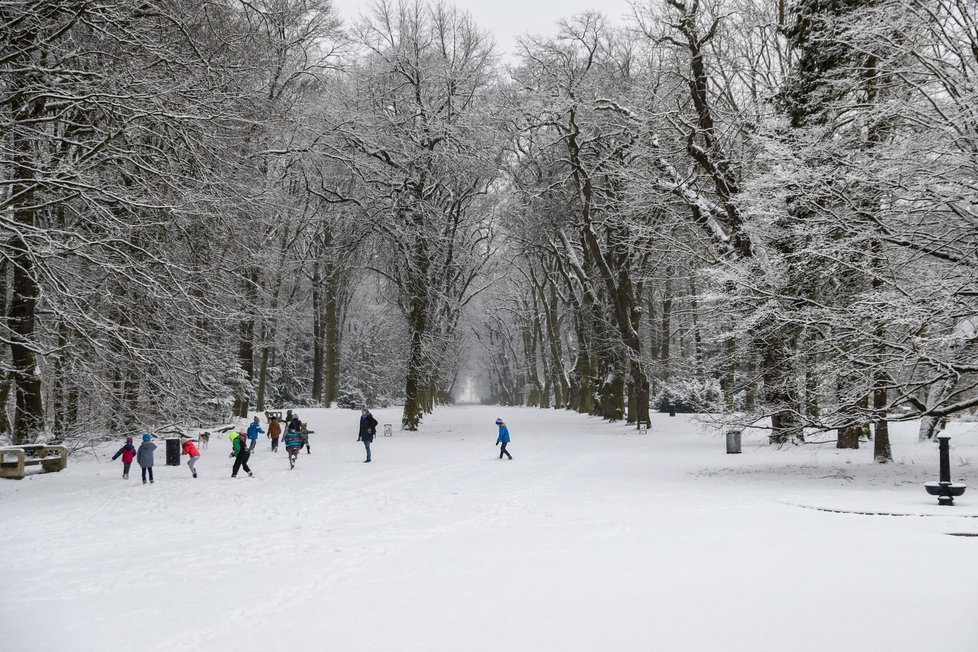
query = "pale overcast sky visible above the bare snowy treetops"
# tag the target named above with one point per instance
(507, 19)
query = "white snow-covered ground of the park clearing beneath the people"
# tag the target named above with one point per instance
(592, 538)
